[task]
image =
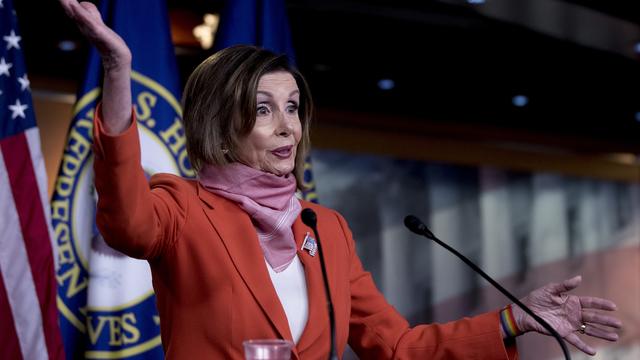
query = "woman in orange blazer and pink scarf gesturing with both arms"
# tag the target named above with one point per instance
(224, 249)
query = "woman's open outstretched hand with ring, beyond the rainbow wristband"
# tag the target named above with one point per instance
(568, 313)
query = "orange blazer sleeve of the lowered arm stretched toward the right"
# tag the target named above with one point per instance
(378, 331)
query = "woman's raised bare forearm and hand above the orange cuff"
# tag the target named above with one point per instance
(116, 60)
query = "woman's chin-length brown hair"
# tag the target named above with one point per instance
(219, 105)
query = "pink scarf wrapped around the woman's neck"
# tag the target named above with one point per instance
(269, 200)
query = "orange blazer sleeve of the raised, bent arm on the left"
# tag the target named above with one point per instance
(133, 218)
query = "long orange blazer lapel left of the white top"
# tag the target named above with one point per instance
(240, 239)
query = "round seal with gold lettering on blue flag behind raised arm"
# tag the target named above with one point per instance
(105, 296)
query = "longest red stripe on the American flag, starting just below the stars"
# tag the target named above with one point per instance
(24, 187)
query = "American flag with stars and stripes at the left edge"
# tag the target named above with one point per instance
(29, 326)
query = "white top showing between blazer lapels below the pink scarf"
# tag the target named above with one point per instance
(291, 287)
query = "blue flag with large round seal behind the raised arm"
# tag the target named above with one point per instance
(106, 299)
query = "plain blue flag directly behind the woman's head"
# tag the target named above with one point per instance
(262, 23)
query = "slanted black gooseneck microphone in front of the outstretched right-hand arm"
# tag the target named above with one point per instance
(415, 225)
